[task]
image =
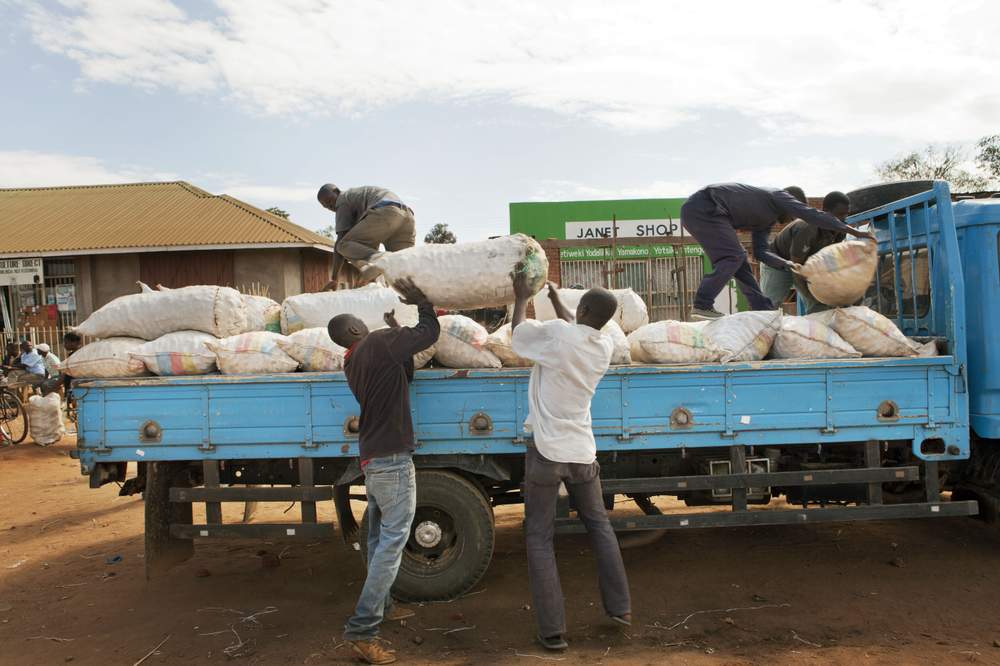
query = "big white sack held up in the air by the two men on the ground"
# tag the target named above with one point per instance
(465, 276)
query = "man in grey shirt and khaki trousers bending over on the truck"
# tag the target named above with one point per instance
(367, 217)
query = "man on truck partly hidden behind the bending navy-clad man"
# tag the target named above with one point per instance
(796, 243)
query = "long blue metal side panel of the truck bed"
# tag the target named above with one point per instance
(766, 403)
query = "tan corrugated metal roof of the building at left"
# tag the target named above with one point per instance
(136, 215)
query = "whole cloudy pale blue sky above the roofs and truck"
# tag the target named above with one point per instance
(462, 107)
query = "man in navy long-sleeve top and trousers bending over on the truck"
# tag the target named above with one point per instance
(712, 215)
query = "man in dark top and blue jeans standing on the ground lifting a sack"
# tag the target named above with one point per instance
(379, 369)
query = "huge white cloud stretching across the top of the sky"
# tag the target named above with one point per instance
(899, 68)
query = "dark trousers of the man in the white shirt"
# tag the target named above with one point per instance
(541, 491)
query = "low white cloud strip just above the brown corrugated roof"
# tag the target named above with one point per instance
(25, 168)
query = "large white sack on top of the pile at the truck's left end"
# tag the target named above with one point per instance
(216, 310)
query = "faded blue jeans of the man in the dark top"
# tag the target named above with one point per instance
(390, 483)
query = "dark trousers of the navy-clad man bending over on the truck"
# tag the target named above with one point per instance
(716, 235)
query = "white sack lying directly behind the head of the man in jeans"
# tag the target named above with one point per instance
(368, 303)
